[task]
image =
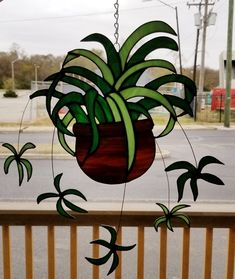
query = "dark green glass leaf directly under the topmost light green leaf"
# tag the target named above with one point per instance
(149, 46)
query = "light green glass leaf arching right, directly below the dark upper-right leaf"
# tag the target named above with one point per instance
(139, 68)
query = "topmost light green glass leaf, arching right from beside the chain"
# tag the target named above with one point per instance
(142, 31)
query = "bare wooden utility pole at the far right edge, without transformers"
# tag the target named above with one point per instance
(229, 65)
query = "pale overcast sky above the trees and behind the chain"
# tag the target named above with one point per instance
(56, 26)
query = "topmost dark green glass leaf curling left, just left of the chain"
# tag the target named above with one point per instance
(113, 59)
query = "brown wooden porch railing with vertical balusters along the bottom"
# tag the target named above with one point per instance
(207, 217)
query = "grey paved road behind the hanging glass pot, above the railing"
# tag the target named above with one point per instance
(151, 186)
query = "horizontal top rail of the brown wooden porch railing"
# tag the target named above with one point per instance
(134, 214)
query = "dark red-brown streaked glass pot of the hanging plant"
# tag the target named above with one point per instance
(109, 163)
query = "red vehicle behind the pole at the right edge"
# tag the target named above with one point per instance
(218, 99)
